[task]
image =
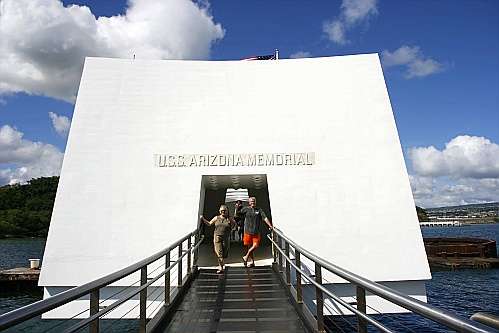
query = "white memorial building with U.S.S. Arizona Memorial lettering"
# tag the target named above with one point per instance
(155, 143)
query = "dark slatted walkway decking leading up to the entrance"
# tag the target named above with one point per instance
(240, 300)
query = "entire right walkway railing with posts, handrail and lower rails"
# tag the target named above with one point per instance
(283, 247)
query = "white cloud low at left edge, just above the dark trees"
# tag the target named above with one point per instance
(24, 159)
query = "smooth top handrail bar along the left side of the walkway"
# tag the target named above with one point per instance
(27, 312)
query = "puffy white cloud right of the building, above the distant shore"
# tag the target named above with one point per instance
(465, 172)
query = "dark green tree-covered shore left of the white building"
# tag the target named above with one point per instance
(26, 209)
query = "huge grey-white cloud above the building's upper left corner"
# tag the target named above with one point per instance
(44, 44)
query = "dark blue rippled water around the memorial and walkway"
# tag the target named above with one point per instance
(462, 292)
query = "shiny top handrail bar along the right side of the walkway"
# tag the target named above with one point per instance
(414, 305)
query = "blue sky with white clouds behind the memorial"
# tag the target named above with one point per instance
(440, 59)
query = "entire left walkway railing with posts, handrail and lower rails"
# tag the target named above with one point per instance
(92, 288)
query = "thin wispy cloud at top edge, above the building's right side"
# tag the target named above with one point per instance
(353, 13)
